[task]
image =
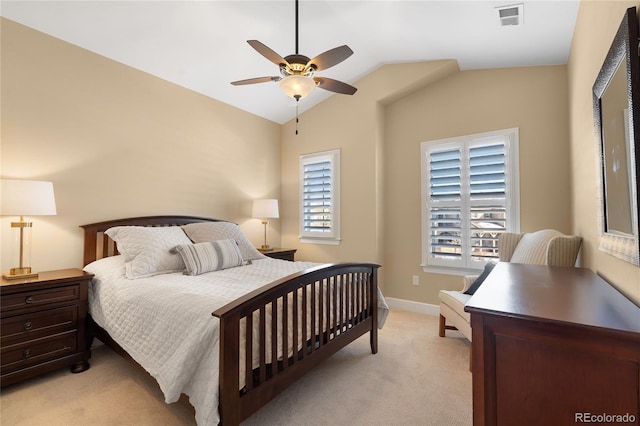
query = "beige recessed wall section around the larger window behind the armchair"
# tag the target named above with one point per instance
(532, 99)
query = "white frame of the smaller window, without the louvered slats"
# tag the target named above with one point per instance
(333, 236)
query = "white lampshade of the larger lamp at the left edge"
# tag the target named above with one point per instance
(27, 198)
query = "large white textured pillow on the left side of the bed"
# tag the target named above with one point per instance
(146, 249)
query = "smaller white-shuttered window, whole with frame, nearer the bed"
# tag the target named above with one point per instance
(320, 198)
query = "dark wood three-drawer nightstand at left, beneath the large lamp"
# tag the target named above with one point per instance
(43, 324)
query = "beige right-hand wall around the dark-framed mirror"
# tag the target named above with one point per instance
(595, 29)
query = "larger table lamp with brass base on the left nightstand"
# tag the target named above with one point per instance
(25, 198)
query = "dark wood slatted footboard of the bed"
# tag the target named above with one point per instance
(338, 300)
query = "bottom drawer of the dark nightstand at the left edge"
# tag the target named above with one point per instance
(36, 351)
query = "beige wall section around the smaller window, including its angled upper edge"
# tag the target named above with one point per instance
(352, 124)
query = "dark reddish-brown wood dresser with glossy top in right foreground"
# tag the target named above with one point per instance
(553, 346)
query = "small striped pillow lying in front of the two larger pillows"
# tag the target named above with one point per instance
(211, 256)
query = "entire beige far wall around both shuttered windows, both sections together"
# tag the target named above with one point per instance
(380, 135)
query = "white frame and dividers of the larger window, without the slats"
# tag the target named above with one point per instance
(466, 264)
